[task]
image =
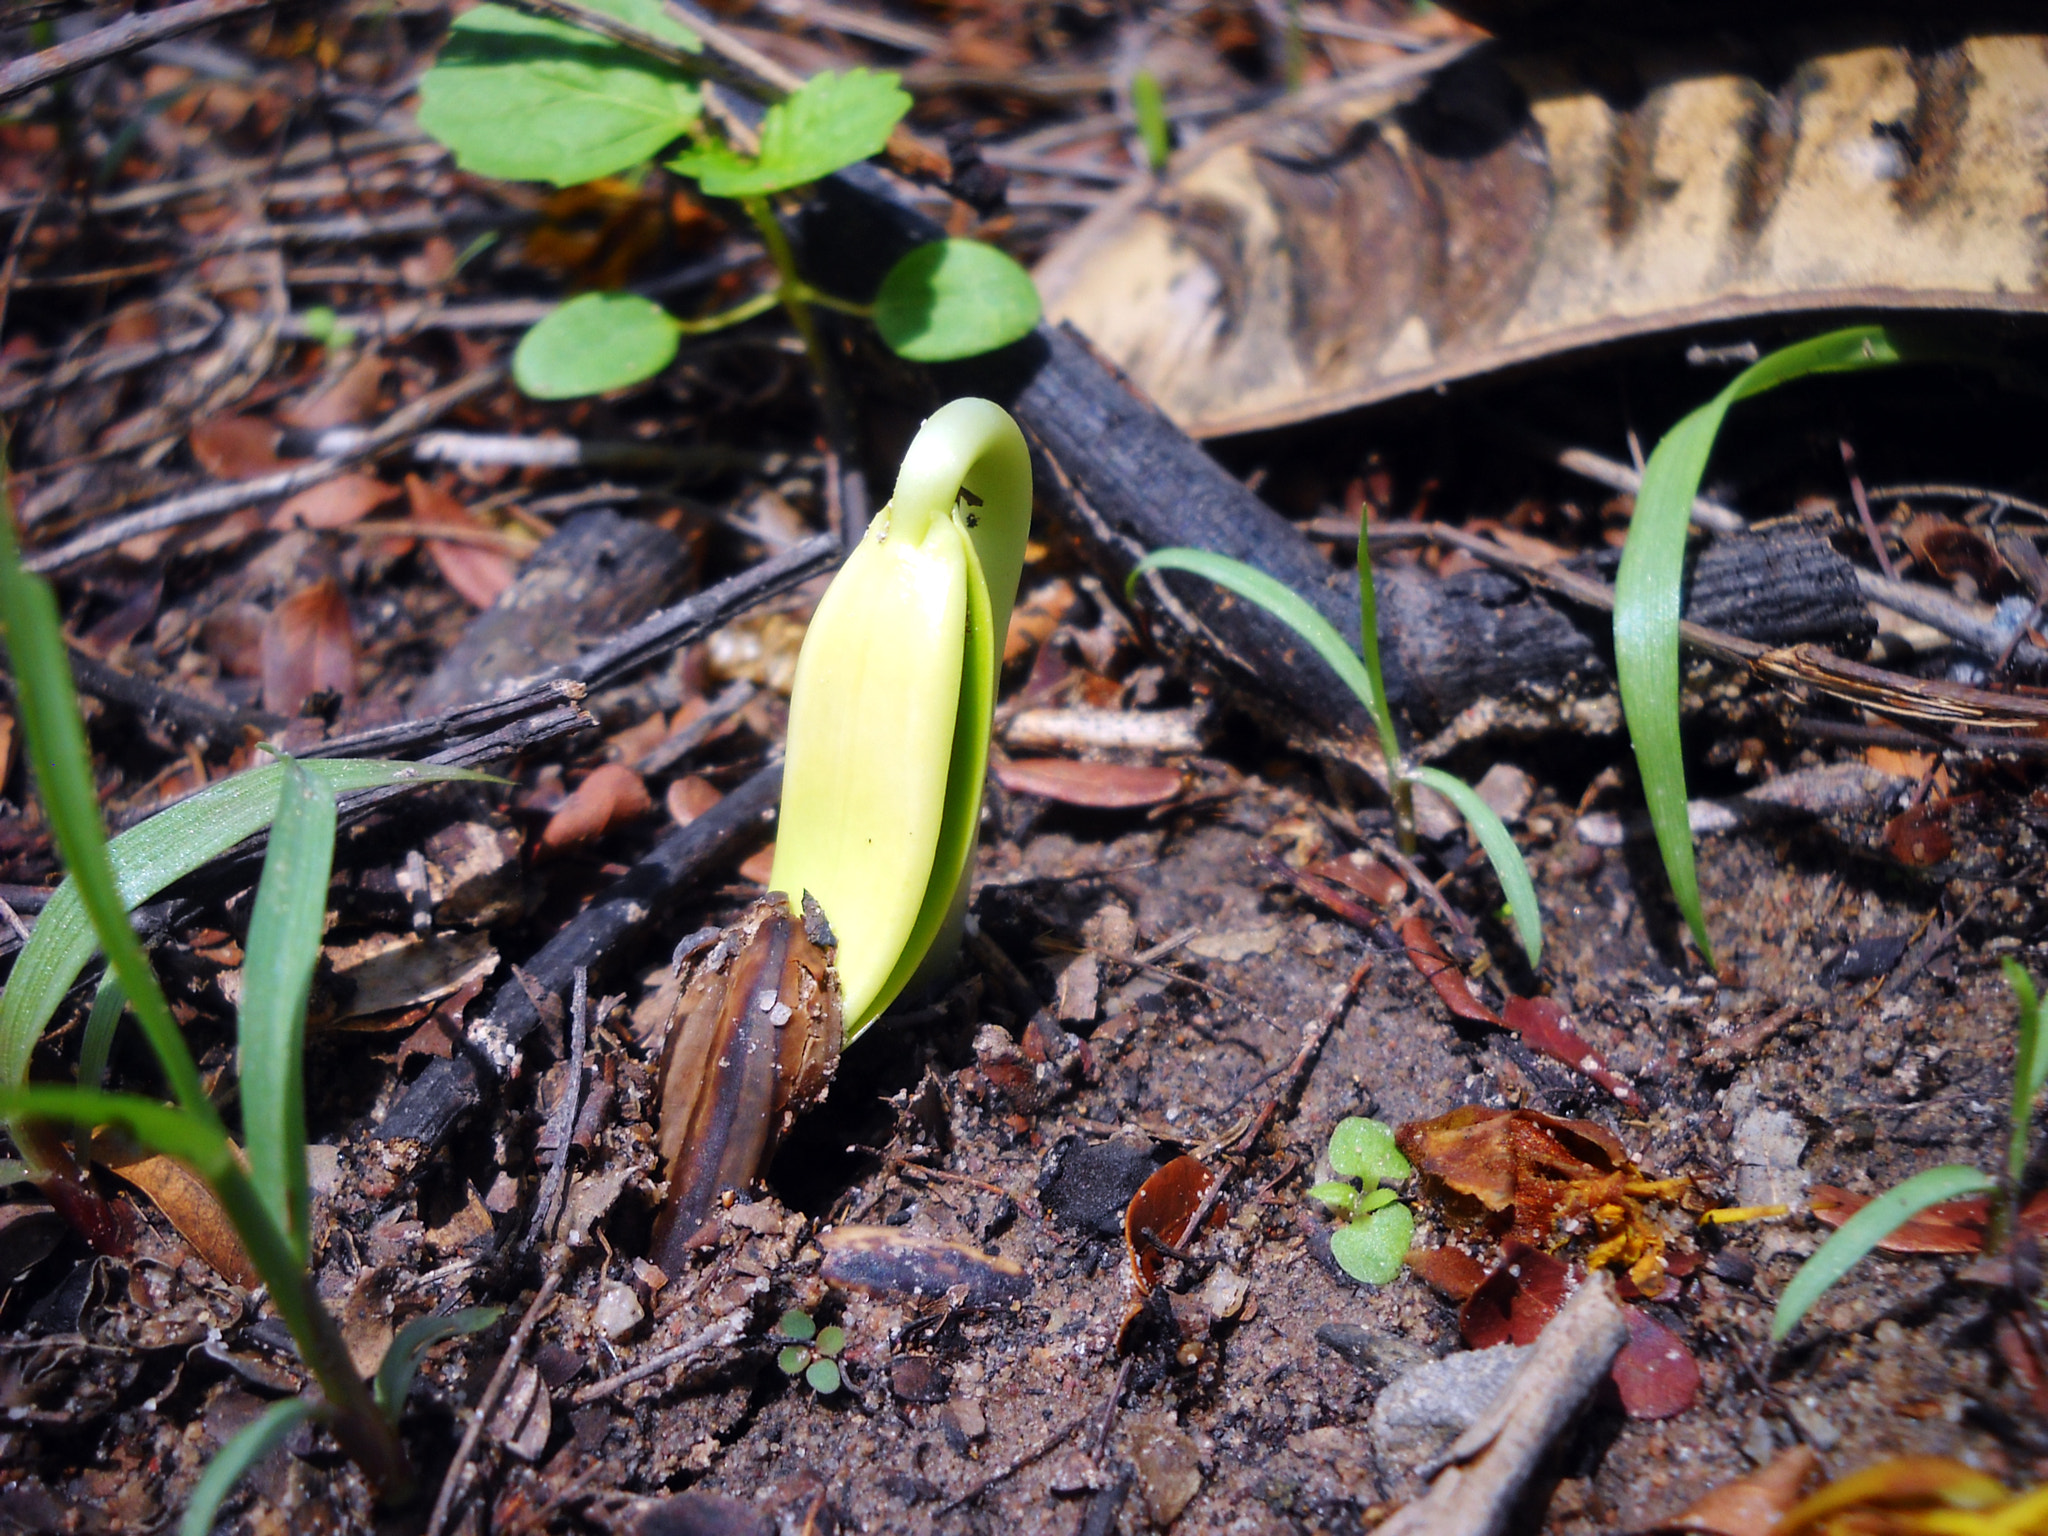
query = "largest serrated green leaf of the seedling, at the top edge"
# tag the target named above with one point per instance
(529, 99)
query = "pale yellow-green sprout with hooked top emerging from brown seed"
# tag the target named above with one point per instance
(890, 716)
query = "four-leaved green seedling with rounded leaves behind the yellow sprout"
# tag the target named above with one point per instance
(529, 99)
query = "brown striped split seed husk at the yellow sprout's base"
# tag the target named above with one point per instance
(757, 1039)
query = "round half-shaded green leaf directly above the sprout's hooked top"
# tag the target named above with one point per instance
(951, 300)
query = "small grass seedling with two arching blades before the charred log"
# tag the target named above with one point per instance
(1363, 677)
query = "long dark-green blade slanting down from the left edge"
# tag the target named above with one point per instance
(65, 777)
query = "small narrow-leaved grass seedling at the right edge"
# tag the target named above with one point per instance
(1885, 1215)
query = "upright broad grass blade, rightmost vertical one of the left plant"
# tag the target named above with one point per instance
(278, 978)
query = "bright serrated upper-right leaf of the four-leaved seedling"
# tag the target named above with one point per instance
(830, 122)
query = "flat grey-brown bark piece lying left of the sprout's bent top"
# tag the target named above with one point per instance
(593, 579)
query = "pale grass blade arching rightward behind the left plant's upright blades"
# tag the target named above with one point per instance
(146, 859)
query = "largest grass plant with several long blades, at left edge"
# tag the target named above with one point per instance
(261, 1185)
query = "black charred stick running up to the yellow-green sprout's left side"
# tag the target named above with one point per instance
(597, 941)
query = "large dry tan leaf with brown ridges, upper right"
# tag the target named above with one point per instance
(1392, 237)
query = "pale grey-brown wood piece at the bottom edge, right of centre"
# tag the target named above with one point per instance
(1488, 1467)
